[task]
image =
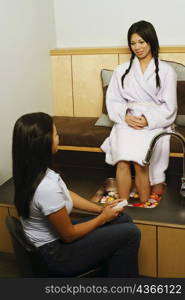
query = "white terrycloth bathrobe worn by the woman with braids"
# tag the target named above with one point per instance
(140, 96)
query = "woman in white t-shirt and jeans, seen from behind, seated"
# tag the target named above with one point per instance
(44, 204)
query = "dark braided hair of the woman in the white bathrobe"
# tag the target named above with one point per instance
(147, 31)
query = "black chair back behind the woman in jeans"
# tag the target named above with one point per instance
(29, 259)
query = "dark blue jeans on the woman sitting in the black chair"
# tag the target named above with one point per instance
(116, 244)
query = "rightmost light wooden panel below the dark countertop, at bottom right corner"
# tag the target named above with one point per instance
(171, 252)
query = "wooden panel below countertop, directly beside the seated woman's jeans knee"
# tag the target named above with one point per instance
(147, 252)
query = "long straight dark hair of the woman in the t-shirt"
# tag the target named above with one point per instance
(32, 155)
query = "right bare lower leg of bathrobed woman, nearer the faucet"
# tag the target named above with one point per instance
(142, 182)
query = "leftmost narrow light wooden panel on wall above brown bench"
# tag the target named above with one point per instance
(62, 85)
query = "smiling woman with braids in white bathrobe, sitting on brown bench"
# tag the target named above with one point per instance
(141, 101)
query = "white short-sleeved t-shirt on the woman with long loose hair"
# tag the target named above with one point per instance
(50, 196)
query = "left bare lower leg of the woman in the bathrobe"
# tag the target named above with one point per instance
(123, 178)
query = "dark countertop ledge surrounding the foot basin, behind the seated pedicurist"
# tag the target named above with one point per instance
(86, 182)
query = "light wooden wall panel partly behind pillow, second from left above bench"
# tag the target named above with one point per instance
(87, 89)
